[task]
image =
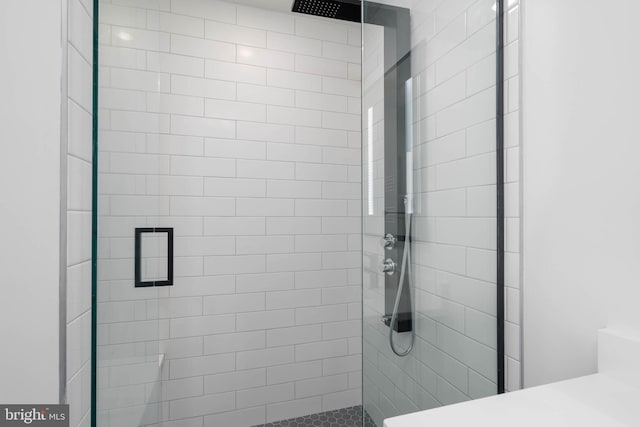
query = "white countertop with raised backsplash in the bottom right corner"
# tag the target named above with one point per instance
(597, 400)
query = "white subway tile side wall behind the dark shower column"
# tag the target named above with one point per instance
(454, 248)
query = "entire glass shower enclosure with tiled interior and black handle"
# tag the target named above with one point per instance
(298, 216)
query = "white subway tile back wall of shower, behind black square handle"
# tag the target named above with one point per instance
(240, 128)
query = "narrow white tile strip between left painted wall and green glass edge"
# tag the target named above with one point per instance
(79, 41)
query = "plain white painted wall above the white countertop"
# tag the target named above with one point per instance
(581, 181)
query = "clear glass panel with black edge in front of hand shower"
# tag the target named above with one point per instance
(429, 205)
